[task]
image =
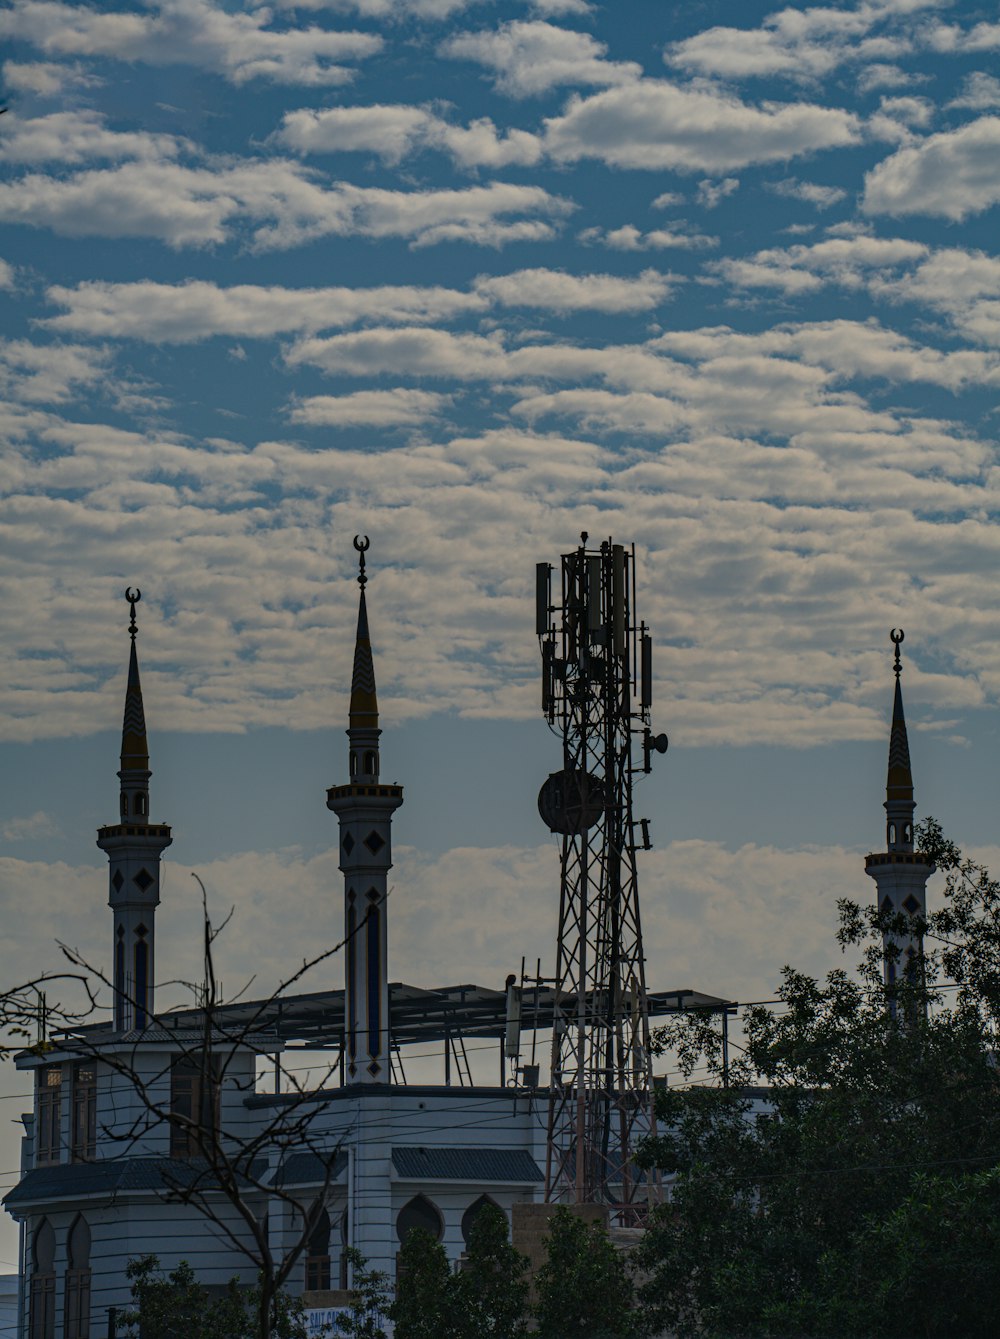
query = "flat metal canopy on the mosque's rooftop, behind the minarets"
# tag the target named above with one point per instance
(417, 1016)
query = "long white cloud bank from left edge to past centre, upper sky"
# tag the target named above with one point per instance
(199, 207)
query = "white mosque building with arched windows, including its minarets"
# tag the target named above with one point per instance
(140, 1120)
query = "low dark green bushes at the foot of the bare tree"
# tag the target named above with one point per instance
(176, 1306)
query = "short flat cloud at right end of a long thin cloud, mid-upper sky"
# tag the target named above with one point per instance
(556, 291)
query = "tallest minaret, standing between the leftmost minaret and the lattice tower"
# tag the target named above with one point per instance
(365, 808)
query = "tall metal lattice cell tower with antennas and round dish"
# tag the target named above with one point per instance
(598, 694)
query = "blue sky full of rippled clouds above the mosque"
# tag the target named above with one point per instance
(471, 278)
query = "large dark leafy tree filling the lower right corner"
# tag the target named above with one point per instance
(845, 1183)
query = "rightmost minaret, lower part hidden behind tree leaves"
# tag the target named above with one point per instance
(900, 874)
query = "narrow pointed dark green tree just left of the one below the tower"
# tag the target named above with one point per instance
(492, 1289)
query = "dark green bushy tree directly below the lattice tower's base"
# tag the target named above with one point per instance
(584, 1290)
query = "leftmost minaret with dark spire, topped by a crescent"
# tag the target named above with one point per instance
(133, 848)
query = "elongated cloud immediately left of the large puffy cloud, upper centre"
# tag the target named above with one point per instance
(394, 132)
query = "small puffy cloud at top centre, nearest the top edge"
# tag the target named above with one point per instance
(532, 57)
